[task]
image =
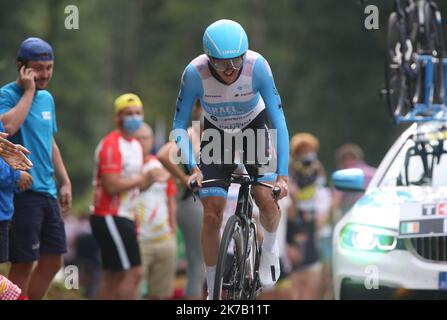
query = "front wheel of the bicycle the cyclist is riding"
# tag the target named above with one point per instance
(228, 280)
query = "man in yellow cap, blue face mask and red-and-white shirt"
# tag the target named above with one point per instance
(118, 179)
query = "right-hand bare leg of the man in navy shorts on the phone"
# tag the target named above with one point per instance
(47, 267)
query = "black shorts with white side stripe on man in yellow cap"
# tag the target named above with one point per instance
(118, 242)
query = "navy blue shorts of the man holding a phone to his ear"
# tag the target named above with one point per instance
(37, 228)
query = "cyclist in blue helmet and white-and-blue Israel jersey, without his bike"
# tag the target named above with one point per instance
(237, 91)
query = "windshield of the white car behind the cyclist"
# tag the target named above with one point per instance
(422, 161)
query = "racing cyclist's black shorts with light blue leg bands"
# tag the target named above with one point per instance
(255, 159)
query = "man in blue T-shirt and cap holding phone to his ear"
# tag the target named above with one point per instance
(28, 114)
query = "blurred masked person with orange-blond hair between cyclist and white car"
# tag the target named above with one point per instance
(309, 209)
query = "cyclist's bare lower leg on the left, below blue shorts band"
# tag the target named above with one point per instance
(213, 208)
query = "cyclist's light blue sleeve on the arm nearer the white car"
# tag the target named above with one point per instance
(264, 84)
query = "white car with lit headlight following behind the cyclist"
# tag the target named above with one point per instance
(392, 244)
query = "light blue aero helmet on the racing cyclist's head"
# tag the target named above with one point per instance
(225, 39)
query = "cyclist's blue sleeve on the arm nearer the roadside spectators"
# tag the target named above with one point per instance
(191, 88)
